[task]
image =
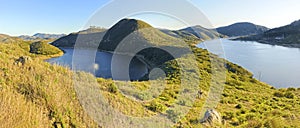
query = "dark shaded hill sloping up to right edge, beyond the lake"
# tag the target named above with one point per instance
(288, 35)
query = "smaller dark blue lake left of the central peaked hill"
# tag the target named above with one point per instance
(100, 64)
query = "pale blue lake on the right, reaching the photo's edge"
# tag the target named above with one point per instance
(276, 65)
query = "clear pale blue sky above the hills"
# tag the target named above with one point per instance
(27, 17)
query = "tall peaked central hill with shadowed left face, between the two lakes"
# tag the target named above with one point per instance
(136, 37)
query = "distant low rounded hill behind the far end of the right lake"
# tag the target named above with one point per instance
(242, 29)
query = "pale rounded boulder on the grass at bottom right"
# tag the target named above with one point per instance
(211, 117)
